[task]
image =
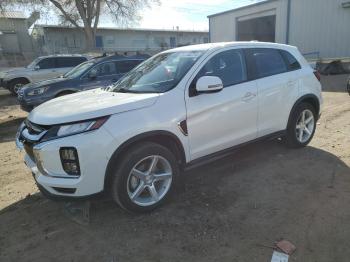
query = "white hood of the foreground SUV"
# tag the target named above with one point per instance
(87, 105)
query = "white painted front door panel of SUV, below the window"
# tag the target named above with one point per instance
(217, 121)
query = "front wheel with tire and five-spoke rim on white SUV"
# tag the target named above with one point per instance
(132, 190)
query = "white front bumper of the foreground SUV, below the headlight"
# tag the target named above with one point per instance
(53, 182)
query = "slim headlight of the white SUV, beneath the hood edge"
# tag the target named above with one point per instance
(75, 128)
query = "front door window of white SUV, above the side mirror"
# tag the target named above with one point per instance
(229, 66)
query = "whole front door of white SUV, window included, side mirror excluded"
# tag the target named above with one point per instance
(220, 120)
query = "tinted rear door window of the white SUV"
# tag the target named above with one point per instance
(268, 62)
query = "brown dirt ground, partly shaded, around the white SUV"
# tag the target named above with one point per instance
(230, 210)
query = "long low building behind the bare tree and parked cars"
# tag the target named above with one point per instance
(62, 39)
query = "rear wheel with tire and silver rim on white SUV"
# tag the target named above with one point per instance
(300, 133)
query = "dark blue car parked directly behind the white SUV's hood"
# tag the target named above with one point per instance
(97, 72)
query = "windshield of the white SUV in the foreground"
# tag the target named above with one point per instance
(158, 74)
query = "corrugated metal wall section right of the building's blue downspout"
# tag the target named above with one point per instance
(320, 26)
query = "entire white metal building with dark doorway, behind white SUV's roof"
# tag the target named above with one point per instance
(319, 28)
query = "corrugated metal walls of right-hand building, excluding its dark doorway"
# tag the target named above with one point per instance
(315, 25)
